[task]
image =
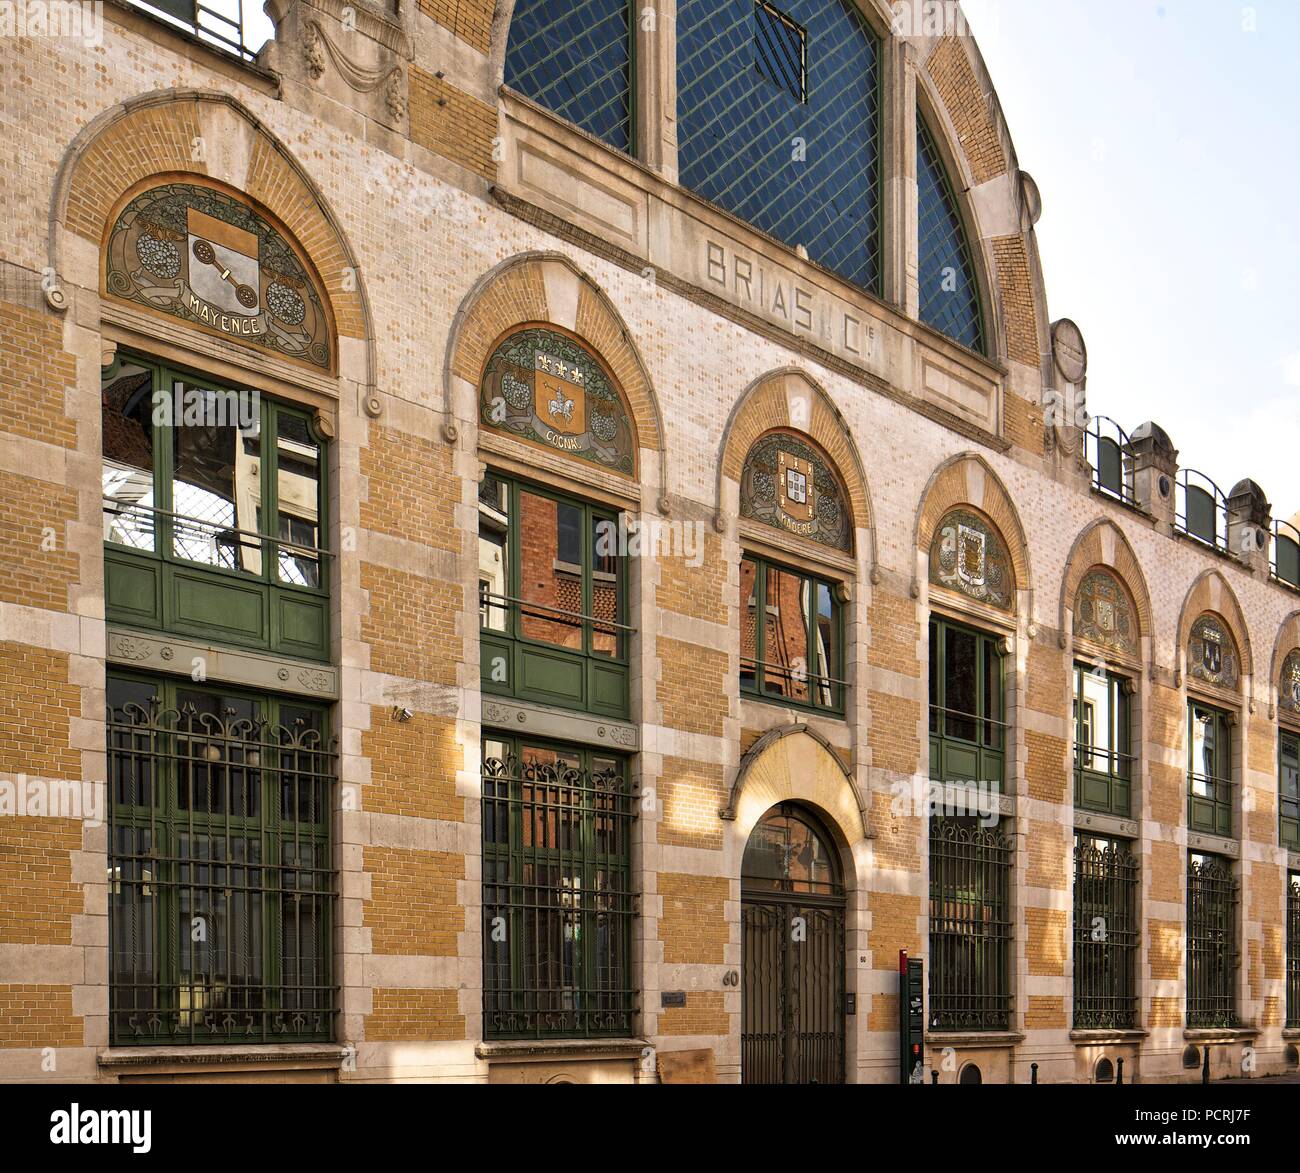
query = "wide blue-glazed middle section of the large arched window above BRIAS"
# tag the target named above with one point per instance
(778, 123)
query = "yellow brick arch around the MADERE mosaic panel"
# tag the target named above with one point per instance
(766, 405)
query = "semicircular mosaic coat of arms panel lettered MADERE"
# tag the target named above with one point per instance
(788, 484)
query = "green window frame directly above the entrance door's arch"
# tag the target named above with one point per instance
(773, 682)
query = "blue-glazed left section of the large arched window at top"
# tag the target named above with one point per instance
(577, 59)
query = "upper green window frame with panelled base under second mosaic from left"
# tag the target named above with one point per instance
(519, 665)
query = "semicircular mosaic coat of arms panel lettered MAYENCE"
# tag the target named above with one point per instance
(207, 258)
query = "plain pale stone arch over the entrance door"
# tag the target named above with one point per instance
(795, 764)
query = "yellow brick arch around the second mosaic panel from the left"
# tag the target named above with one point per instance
(549, 288)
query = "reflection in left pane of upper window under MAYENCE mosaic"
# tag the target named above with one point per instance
(128, 439)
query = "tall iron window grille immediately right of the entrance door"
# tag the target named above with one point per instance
(970, 927)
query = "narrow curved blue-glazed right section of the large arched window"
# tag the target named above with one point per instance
(950, 295)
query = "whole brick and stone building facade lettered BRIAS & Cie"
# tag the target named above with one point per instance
(664, 600)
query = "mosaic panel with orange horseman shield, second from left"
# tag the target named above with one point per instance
(547, 388)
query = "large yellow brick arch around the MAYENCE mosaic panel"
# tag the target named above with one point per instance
(157, 135)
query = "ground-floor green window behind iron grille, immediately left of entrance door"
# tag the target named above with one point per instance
(558, 891)
